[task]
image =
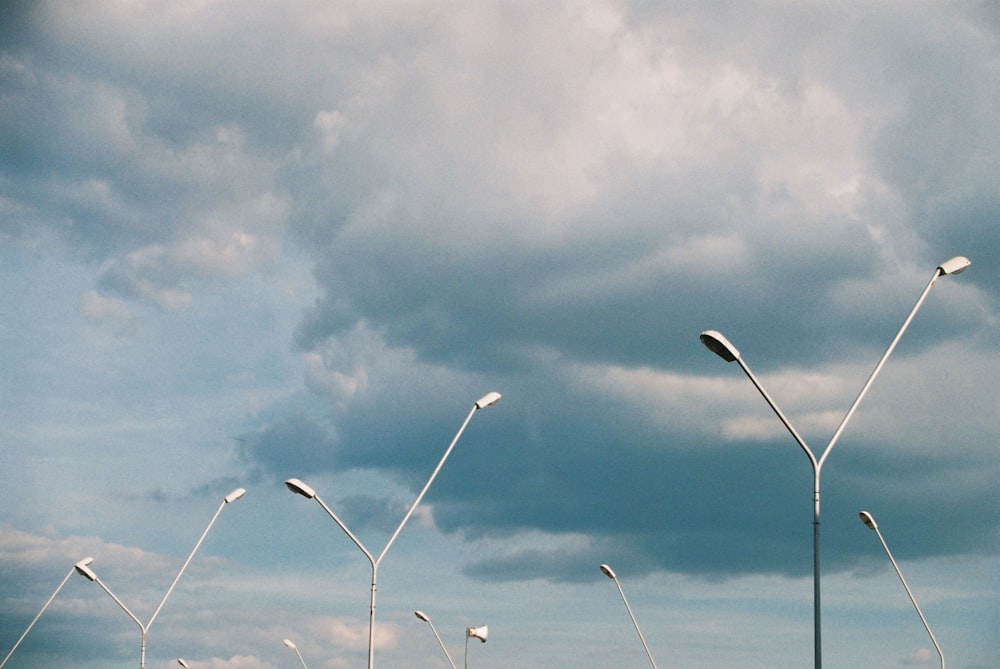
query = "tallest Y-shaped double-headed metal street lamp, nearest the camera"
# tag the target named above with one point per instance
(718, 344)
